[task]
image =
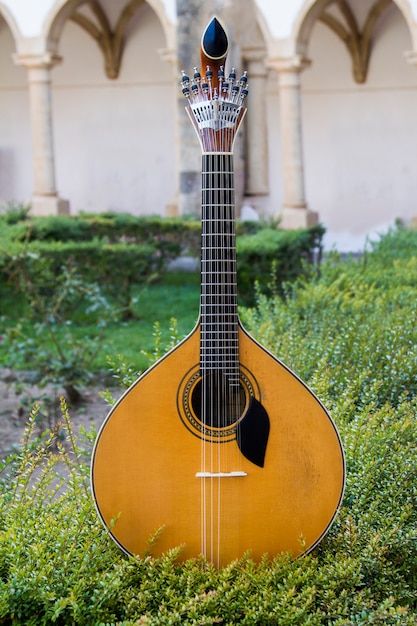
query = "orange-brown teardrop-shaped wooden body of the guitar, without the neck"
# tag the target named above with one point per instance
(149, 451)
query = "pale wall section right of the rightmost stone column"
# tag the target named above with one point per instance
(360, 140)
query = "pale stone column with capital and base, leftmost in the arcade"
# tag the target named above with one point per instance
(45, 200)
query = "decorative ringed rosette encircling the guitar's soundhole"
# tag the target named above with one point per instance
(210, 407)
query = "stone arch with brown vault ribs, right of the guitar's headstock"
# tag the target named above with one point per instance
(314, 9)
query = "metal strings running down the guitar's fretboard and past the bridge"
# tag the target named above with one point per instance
(220, 388)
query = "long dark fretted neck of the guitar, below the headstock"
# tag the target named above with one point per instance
(219, 319)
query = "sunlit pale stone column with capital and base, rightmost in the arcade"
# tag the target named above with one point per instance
(295, 213)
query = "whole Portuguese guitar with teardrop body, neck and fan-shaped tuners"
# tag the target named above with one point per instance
(218, 447)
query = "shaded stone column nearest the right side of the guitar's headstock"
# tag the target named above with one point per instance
(256, 124)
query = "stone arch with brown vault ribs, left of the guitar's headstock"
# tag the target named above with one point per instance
(64, 9)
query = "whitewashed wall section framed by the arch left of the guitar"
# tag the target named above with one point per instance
(115, 138)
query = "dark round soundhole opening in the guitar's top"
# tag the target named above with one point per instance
(216, 402)
